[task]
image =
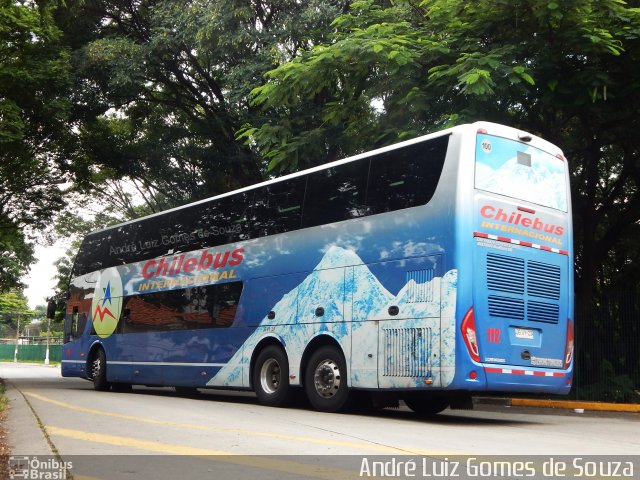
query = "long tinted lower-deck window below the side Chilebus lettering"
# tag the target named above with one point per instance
(211, 306)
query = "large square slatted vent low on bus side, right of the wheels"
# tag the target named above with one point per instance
(407, 352)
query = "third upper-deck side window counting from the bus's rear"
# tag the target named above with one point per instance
(277, 208)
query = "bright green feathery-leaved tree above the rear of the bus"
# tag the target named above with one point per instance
(564, 70)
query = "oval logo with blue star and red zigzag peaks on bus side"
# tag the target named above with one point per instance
(107, 302)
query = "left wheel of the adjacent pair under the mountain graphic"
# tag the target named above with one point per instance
(271, 377)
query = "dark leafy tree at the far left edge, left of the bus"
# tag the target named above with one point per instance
(34, 134)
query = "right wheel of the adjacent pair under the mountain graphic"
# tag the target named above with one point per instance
(325, 380)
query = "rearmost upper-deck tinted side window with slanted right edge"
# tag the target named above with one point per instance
(406, 177)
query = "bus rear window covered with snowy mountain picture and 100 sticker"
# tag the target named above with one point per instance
(521, 171)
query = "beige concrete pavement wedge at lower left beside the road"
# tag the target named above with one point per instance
(23, 428)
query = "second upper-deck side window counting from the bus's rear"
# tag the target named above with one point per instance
(335, 194)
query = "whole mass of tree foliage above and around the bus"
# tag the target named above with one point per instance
(172, 97)
